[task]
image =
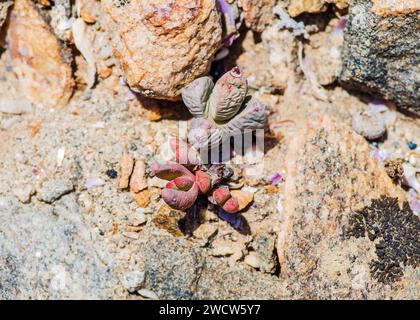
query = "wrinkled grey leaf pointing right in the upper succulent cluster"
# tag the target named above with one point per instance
(253, 116)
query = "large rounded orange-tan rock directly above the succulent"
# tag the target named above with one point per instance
(164, 45)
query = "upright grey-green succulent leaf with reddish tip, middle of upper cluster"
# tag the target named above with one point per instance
(228, 95)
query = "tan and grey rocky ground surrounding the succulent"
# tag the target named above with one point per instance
(334, 212)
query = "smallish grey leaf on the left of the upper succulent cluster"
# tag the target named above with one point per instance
(196, 94)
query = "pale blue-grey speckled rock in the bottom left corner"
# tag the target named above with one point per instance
(46, 256)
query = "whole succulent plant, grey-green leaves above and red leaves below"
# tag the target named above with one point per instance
(220, 111)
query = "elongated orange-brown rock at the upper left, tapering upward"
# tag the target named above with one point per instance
(37, 58)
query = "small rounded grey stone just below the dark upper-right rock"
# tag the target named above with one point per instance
(368, 125)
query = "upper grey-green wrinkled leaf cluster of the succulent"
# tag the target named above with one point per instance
(221, 110)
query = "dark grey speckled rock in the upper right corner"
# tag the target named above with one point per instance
(381, 54)
